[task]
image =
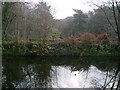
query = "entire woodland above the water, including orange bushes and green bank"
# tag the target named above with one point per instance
(29, 30)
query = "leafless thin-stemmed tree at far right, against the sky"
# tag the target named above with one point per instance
(114, 9)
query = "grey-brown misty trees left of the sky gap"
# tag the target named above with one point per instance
(22, 22)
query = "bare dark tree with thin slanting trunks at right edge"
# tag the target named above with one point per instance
(116, 14)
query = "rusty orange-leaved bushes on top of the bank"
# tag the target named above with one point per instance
(89, 38)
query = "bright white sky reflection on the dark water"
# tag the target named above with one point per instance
(66, 79)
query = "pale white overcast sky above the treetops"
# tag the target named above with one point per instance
(64, 8)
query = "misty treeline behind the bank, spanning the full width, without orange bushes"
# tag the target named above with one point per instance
(23, 21)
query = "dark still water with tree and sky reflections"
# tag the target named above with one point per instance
(60, 72)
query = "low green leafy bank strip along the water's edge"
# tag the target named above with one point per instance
(60, 49)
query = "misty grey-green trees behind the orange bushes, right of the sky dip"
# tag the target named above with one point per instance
(98, 21)
